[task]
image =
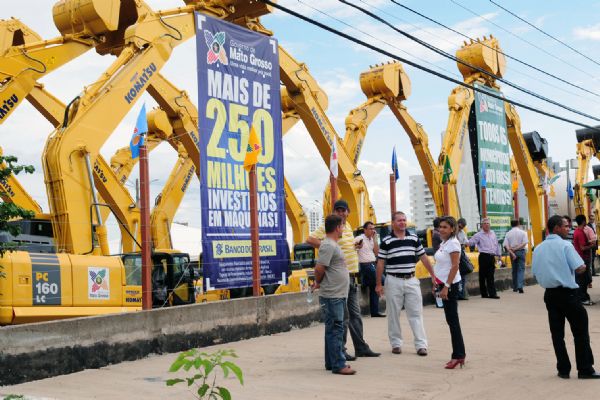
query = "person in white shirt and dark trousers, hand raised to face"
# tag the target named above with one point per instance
(366, 259)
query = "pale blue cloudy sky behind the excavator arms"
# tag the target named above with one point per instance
(336, 64)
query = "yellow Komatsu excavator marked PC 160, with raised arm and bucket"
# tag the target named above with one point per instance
(79, 280)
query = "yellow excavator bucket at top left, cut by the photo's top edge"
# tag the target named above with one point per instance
(86, 17)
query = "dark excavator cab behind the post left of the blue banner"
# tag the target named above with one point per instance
(172, 277)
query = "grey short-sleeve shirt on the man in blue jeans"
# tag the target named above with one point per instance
(335, 283)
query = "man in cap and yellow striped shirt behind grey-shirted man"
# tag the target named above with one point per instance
(352, 317)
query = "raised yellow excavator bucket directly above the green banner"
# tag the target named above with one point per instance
(485, 54)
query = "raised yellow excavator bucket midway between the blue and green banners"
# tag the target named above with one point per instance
(388, 80)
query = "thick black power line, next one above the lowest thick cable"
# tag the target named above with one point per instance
(452, 57)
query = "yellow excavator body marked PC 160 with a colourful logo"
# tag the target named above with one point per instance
(42, 286)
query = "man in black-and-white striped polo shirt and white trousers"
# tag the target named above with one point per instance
(398, 255)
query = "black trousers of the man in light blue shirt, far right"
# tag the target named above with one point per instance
(563, 303)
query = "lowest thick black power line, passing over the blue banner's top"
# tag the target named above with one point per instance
(422, 68)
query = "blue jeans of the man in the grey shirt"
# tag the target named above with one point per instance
(333, 314)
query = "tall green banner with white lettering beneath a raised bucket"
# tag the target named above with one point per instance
(494, 159)
